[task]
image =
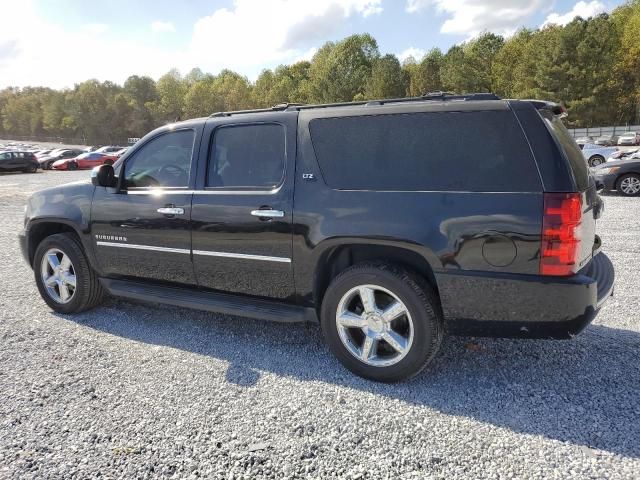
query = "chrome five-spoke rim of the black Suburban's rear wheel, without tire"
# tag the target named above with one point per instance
(374, 325)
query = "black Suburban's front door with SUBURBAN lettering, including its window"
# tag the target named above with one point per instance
(142, 229)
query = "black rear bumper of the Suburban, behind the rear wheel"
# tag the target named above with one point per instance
(525, 306)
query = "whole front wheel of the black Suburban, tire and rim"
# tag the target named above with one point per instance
(64, 278)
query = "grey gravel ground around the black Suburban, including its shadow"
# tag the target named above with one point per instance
(138, 391)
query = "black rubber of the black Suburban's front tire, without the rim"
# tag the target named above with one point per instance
(88, 291)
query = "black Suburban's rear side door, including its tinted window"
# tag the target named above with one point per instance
(242, 211)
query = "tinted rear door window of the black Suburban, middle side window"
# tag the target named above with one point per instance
(247, 156)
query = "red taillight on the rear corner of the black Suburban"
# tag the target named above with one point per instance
(560, 233)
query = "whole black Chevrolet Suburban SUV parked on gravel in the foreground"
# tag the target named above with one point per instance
(391, 222)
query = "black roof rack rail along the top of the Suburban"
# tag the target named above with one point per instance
(436, 96)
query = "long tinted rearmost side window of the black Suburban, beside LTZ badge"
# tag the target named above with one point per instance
(439, 151)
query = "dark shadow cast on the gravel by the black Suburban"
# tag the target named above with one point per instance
(584, 391)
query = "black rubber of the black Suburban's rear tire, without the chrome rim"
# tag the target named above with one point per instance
(421, 303)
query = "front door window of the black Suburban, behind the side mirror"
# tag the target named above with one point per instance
(164, 161)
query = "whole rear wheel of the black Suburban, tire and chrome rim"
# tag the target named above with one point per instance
(381, 322)
